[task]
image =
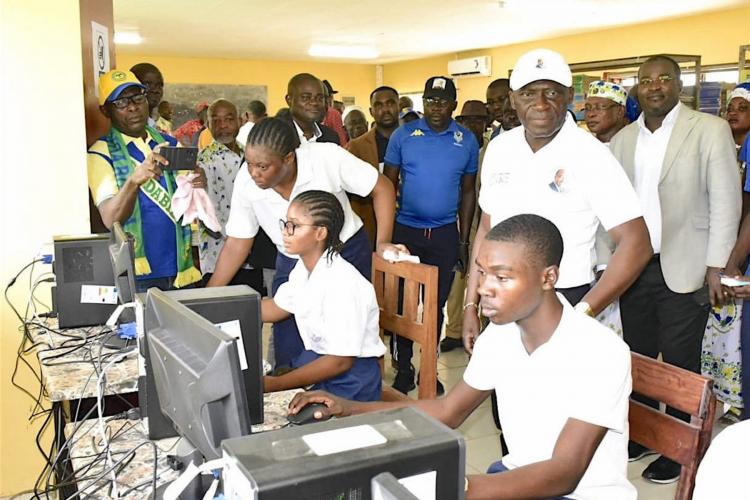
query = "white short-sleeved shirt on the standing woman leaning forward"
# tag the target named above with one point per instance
(322, 166)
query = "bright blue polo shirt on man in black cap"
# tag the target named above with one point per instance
(431, 165)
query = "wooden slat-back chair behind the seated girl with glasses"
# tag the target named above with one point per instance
(422, 330)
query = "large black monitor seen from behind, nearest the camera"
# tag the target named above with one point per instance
(197, 374)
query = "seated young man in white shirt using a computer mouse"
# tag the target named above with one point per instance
(577, 446)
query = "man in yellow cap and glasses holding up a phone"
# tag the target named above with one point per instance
(129, 186)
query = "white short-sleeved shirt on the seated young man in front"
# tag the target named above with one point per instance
(581, 372)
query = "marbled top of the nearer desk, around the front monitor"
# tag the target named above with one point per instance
(86, 447)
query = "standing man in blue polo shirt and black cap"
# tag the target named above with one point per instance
(433, 164)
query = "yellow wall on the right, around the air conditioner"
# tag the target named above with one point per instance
(715, 36)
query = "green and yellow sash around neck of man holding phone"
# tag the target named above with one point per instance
(123, 166)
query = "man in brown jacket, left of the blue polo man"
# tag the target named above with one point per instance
(371, 146)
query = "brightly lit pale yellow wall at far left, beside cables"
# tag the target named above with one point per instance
(42, 186)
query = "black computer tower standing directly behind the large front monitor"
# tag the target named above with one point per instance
(237, 309)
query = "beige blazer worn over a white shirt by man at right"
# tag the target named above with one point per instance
(700, 195)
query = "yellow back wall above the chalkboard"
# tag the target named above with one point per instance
(356, 80)
